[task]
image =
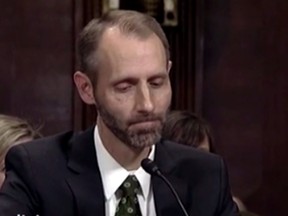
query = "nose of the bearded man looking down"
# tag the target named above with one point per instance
(144, 102)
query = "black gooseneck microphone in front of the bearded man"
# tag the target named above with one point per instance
(150, 167)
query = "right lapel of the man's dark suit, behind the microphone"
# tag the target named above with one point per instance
(165, 202)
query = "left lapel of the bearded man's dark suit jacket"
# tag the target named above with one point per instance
(84, 177)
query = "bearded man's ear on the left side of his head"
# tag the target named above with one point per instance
(84, 87)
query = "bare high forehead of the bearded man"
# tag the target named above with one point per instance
(126, 53)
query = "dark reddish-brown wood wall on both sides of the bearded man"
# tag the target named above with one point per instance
(230, 65)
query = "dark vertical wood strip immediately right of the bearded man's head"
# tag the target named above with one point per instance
(182, 42)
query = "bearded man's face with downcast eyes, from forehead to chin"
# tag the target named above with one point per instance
(133, 90)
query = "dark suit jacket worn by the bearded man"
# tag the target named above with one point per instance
(59, 176)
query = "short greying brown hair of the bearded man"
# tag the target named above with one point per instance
(129, 22)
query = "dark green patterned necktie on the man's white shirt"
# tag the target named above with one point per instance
(128, 204)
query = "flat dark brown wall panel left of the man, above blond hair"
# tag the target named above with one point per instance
(36, 53)
